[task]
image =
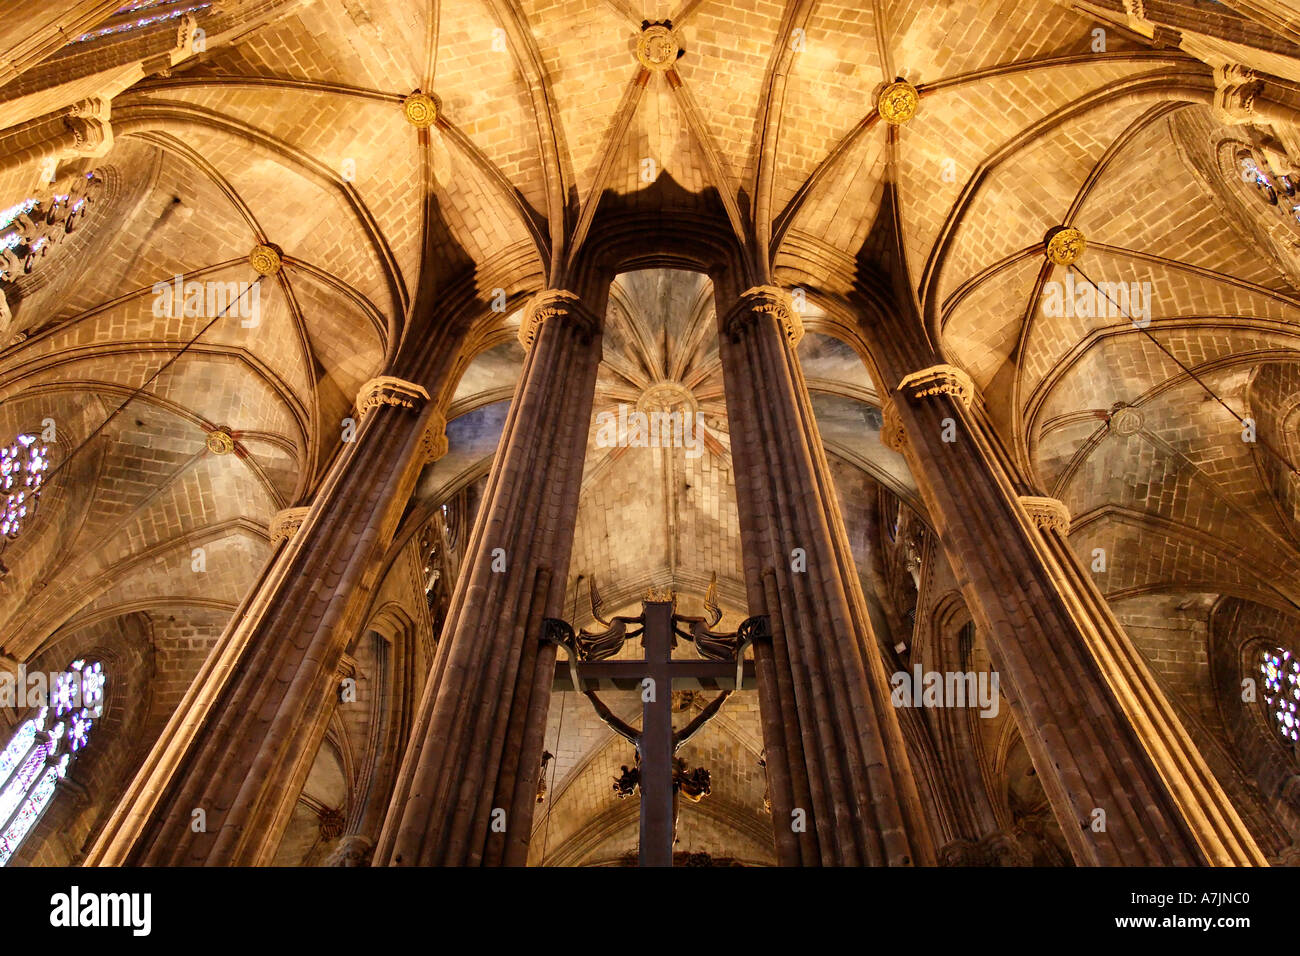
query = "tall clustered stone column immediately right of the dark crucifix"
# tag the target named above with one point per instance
(835, 751)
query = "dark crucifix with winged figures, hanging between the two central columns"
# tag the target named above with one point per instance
(723, 668)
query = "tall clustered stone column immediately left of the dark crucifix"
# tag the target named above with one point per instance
(469, 784)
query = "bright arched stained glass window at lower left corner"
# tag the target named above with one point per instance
(42, 749)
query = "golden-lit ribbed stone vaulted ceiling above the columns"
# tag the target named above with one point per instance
(288, 128)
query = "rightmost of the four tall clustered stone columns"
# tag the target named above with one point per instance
(1128, 785)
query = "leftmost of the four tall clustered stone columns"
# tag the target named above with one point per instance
(241, 745)
